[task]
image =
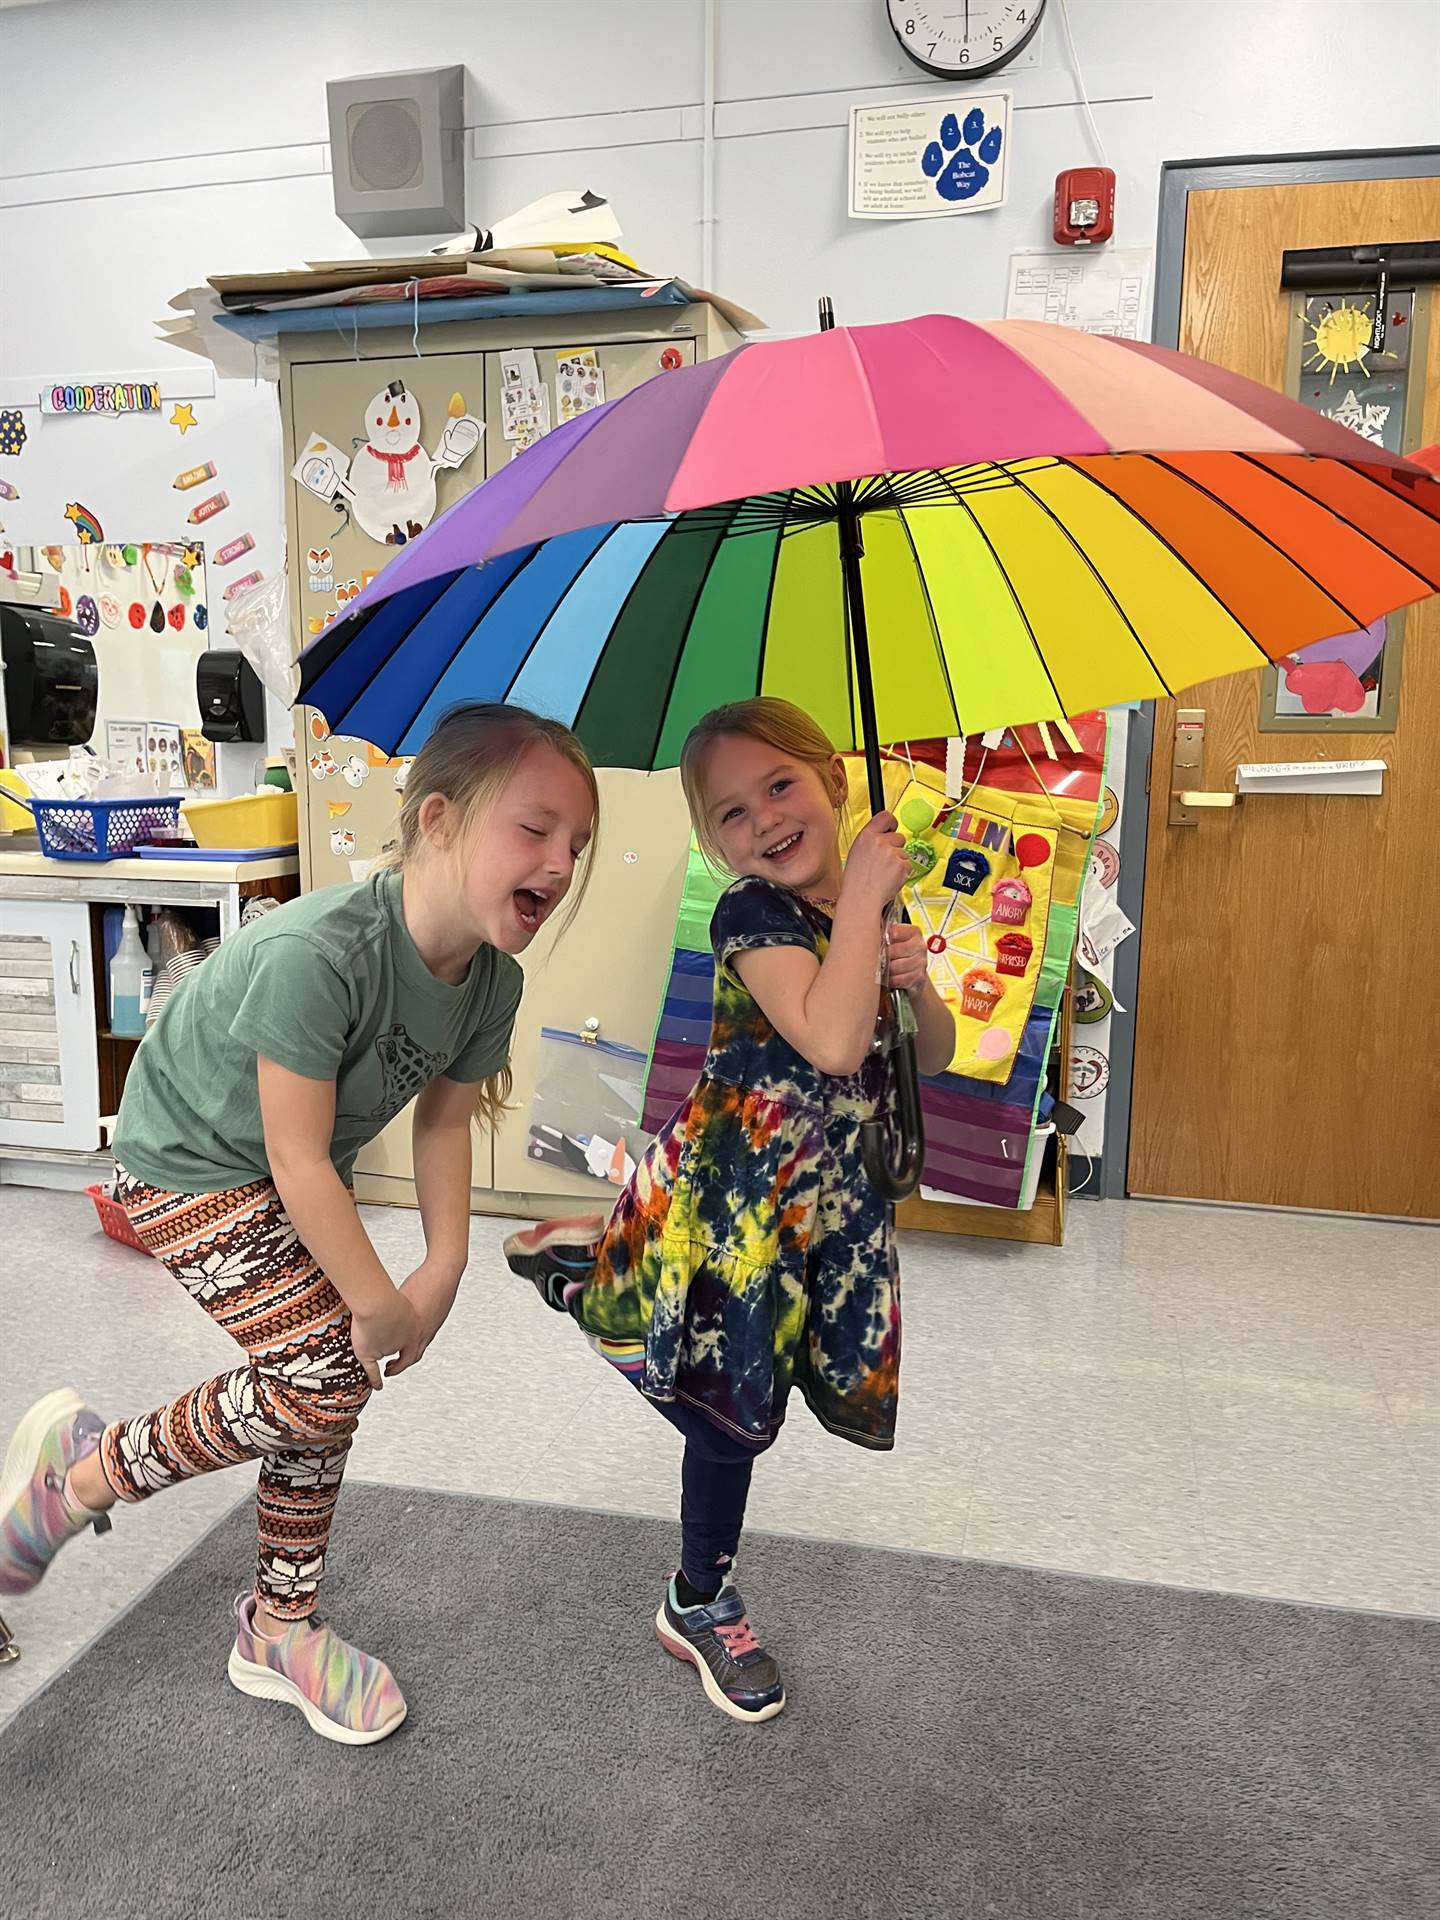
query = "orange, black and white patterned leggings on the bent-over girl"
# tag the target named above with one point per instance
(295, 1406)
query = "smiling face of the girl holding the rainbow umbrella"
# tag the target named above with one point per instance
(775, 817)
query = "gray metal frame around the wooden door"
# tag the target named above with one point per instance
(1178, 181)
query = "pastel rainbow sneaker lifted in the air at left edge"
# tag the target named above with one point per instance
(36, 1518)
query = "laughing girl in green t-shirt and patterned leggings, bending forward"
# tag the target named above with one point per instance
(243, 1115)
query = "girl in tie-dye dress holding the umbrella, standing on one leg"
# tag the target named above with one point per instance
(750, 1255)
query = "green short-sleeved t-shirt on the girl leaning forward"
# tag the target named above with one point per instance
(329, 986)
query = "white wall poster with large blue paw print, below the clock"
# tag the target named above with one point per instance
(930, 158)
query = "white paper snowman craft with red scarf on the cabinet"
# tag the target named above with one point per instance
(391, 483)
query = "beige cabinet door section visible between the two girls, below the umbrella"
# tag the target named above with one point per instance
(612, 965)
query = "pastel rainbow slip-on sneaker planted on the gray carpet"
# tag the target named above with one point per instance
(345, 1694)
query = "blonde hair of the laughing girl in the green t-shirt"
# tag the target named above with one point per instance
(471, 759)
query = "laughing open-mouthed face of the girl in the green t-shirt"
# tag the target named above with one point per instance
(521, 859)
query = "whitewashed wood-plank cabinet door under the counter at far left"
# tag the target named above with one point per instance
(49, 1074)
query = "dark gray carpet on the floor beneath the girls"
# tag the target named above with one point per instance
(961, 1740)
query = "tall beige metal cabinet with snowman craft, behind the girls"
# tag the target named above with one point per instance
(612, 963)
